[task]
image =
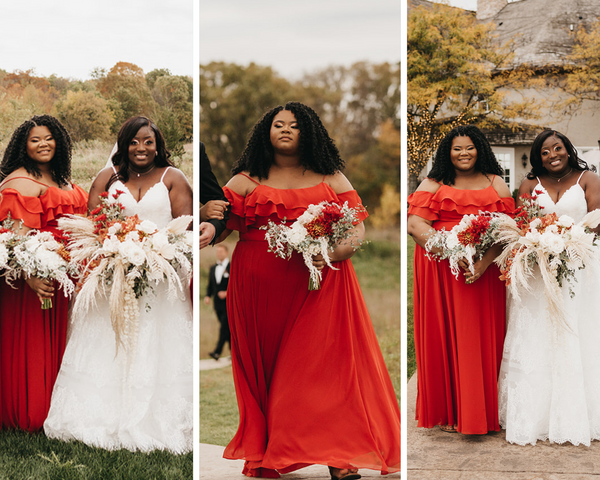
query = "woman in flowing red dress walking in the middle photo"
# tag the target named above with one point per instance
(311, 383)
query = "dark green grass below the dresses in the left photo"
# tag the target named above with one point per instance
(33, 456)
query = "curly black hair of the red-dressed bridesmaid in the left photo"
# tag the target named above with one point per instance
(16, 156)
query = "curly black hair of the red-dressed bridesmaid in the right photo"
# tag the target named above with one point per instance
(443, 170)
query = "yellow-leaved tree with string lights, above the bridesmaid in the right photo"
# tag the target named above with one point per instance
(458, 74)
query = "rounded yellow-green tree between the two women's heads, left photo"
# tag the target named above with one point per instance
(85, 115)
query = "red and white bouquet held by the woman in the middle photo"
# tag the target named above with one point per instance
(318, 230)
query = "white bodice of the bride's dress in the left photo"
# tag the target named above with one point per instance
(155, 205)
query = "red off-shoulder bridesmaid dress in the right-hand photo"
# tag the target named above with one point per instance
(459, 327)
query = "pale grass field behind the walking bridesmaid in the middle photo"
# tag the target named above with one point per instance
(377, 266)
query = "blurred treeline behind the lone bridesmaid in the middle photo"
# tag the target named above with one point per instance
(359, 105)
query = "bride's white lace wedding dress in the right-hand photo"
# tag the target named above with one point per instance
(549, 383)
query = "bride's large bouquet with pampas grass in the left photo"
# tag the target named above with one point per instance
(122, 257)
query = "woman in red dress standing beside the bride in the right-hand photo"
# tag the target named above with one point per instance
(459, 323)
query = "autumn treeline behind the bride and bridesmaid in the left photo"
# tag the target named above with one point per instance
(95, 109)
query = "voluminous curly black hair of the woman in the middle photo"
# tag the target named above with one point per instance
(317, 150)
